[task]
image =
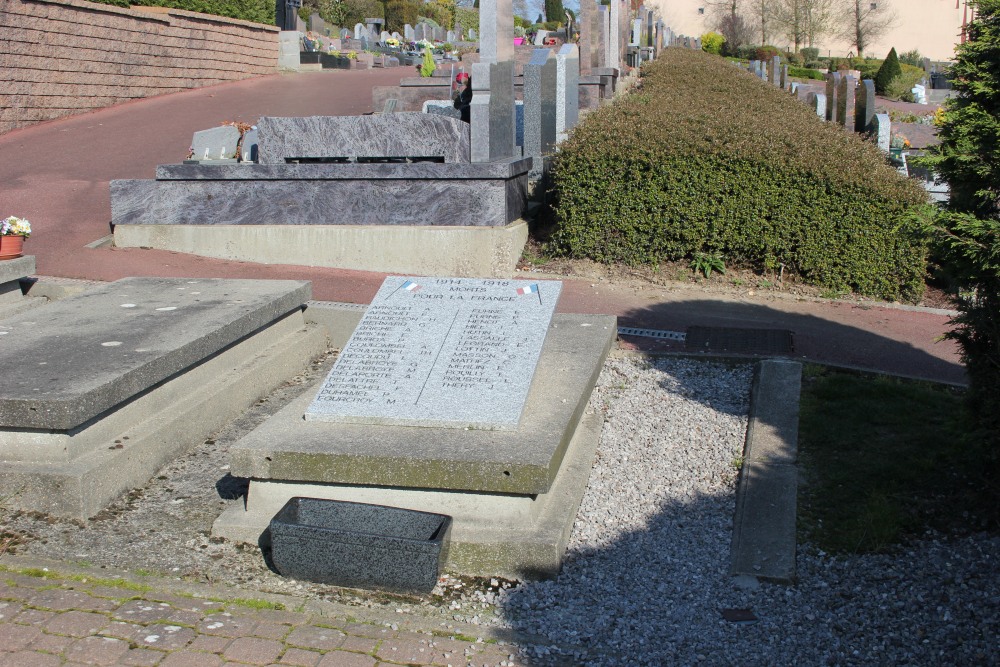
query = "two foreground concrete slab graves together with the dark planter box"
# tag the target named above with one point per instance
(451, 432)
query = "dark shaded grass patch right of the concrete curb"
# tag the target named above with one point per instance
(884, 459)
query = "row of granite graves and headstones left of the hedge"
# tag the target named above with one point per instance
(404, 192)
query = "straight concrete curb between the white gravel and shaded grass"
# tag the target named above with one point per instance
(763, 543)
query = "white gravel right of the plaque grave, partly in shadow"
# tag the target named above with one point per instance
(646, 576)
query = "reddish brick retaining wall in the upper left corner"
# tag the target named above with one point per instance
(65, 57)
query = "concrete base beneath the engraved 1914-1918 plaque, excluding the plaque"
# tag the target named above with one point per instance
(513, 494)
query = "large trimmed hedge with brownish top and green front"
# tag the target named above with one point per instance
(706, 158)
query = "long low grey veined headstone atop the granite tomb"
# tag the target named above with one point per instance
(411, 134)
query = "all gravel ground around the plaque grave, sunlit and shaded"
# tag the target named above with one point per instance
(646, 575)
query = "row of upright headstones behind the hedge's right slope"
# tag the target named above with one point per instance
(850, 102)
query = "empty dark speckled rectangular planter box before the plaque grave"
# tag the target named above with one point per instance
(358, 545)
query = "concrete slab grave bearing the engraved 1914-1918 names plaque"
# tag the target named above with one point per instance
(511, 486)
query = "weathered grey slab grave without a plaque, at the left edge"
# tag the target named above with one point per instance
(103, 388)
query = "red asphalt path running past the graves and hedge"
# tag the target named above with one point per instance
(57, 175)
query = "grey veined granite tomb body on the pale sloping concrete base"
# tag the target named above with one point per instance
(459, 194)
